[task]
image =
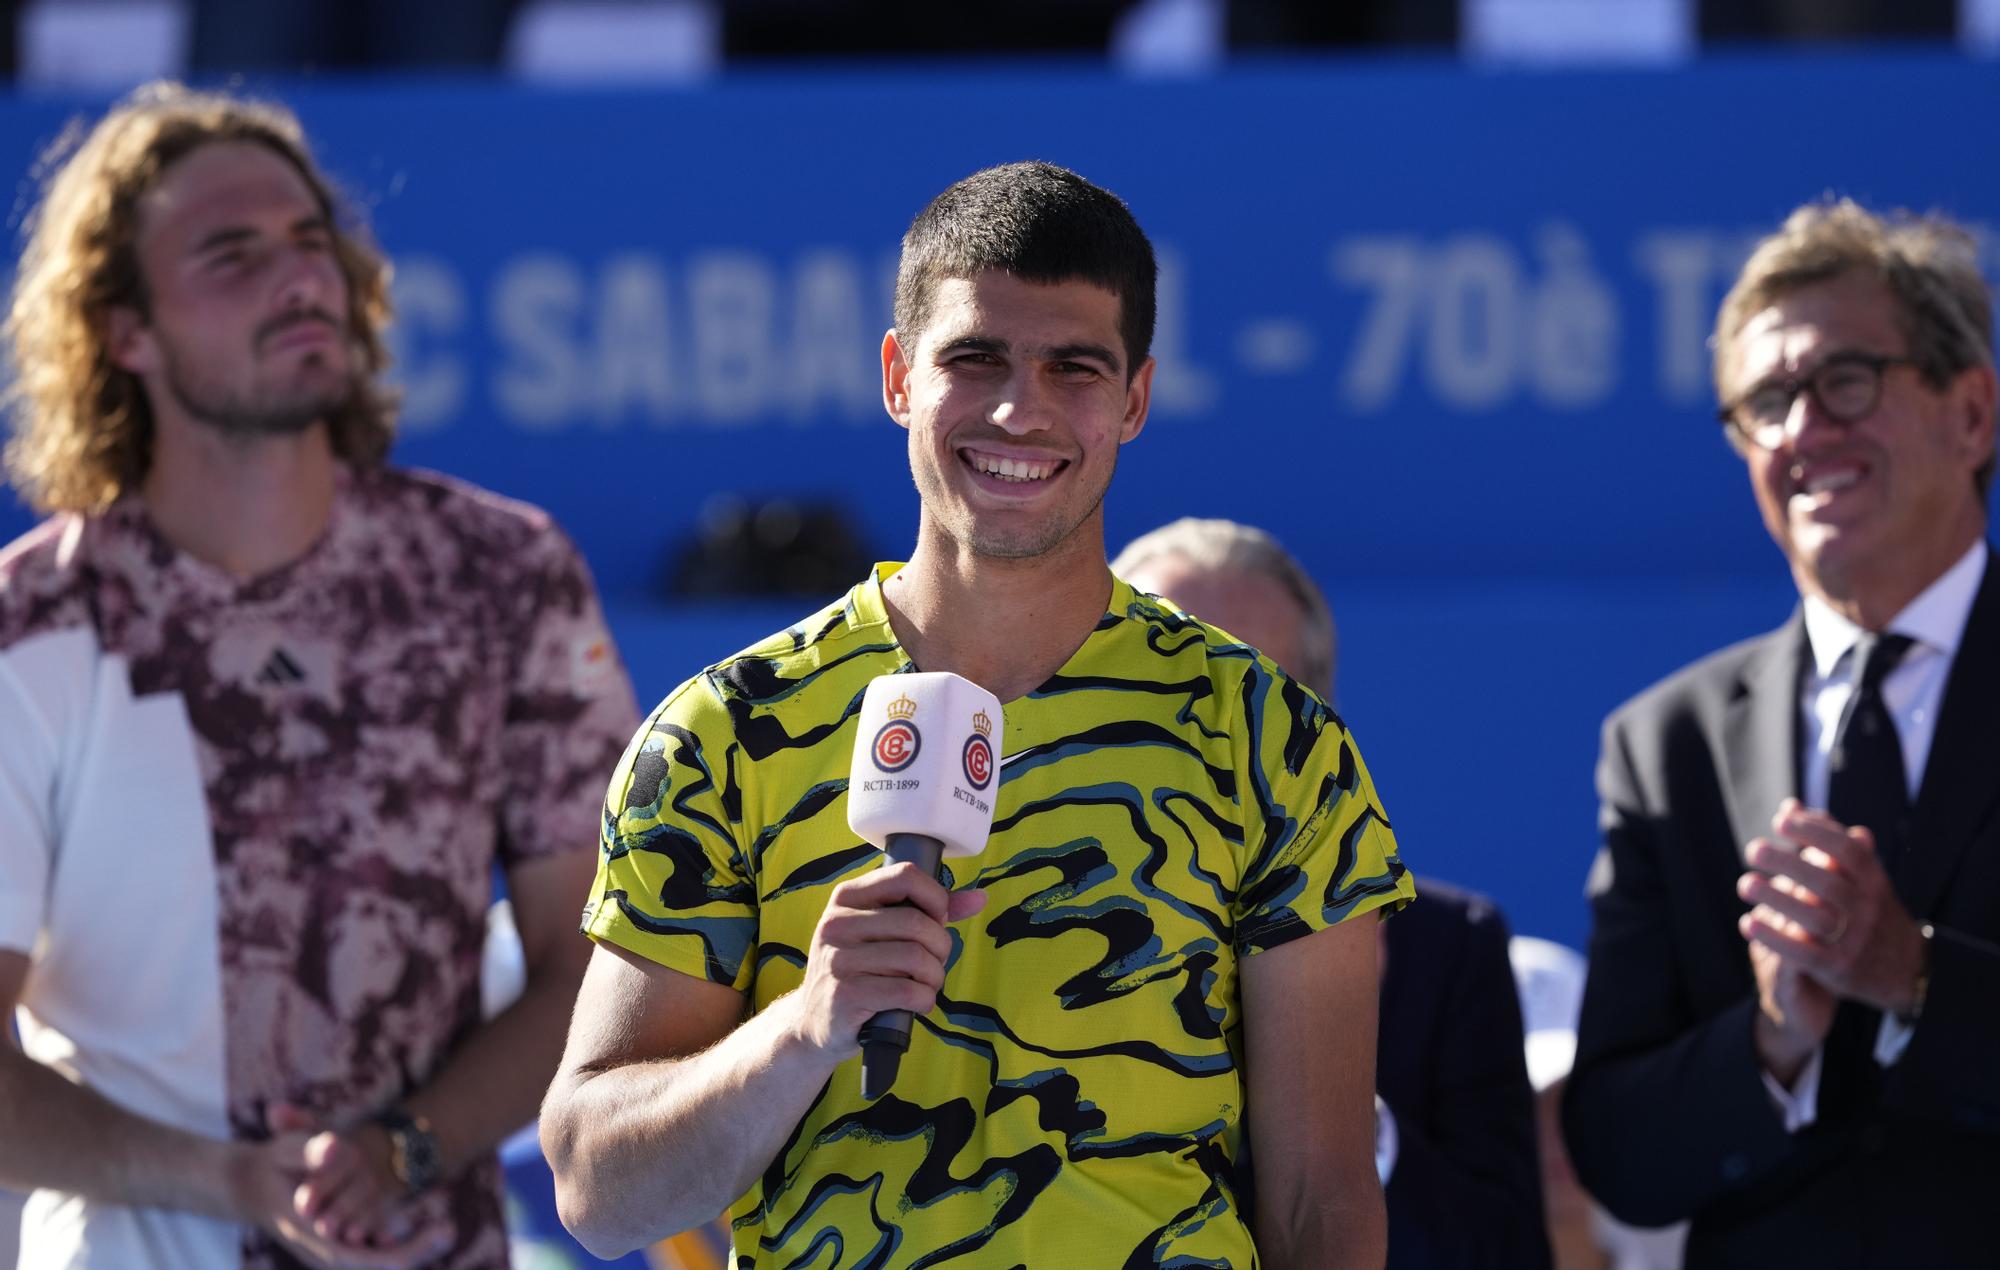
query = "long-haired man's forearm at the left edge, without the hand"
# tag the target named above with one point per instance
(65, 1137)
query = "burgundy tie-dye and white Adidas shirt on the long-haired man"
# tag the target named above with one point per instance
(249, 829)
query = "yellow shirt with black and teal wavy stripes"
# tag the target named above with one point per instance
(1169, 805)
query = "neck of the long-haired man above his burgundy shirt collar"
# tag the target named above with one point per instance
(241, 505)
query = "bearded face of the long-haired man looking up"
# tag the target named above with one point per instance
(245, 321)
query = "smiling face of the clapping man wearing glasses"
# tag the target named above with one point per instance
(1877, 509)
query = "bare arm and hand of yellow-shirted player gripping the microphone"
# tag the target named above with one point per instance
(669, 1105)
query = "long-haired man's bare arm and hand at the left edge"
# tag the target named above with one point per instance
(143, 1163)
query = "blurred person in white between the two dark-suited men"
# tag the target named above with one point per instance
(1583, 1237)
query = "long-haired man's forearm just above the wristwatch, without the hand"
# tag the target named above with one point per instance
(495, 1081)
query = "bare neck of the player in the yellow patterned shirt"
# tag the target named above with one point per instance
(1005, 625)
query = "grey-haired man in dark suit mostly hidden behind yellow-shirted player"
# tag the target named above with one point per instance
(1455, 1111)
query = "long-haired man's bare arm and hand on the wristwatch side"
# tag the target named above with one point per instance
(491, 1085)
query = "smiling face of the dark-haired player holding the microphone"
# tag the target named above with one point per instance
(1017, 399)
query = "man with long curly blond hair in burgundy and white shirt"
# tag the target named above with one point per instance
(275, 713)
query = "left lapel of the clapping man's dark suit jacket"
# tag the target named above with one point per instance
(1761, 731)
